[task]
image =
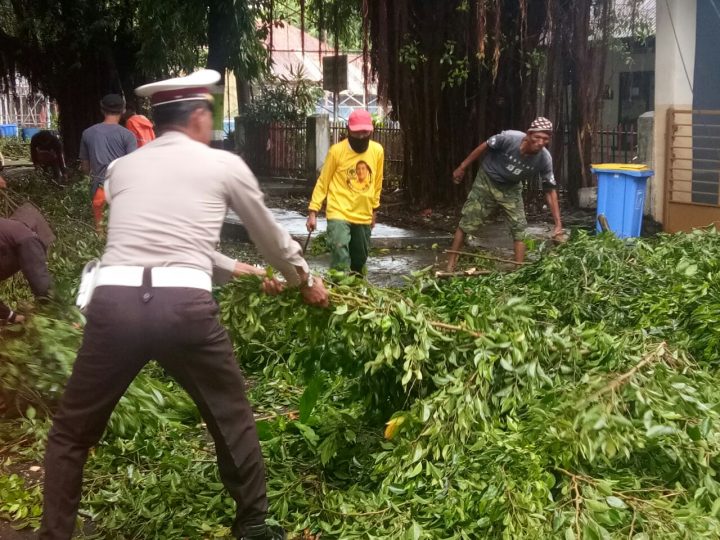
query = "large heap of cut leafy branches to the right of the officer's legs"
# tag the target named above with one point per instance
(574, 397)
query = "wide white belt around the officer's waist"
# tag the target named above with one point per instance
(160, 276)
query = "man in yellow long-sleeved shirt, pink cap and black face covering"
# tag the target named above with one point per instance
(351, 181)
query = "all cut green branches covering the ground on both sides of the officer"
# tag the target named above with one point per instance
(574, 398)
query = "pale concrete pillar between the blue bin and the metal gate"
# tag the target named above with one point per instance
(674, 55)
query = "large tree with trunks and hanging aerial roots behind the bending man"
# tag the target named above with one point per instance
(456, 71)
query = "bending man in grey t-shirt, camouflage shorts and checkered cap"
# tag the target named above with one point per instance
(509, 158)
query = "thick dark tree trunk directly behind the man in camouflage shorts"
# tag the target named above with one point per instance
(445, 96)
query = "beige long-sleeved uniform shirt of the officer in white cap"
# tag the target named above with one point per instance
(168, 201)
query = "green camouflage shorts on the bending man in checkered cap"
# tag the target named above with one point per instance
(485, 197)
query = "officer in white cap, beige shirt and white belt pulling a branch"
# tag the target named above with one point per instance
(152, 301)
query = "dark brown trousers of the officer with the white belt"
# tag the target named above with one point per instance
(126, 328)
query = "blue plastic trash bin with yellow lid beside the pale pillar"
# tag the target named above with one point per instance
(621, 197)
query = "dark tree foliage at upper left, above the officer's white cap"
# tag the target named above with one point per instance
(76, 51)
